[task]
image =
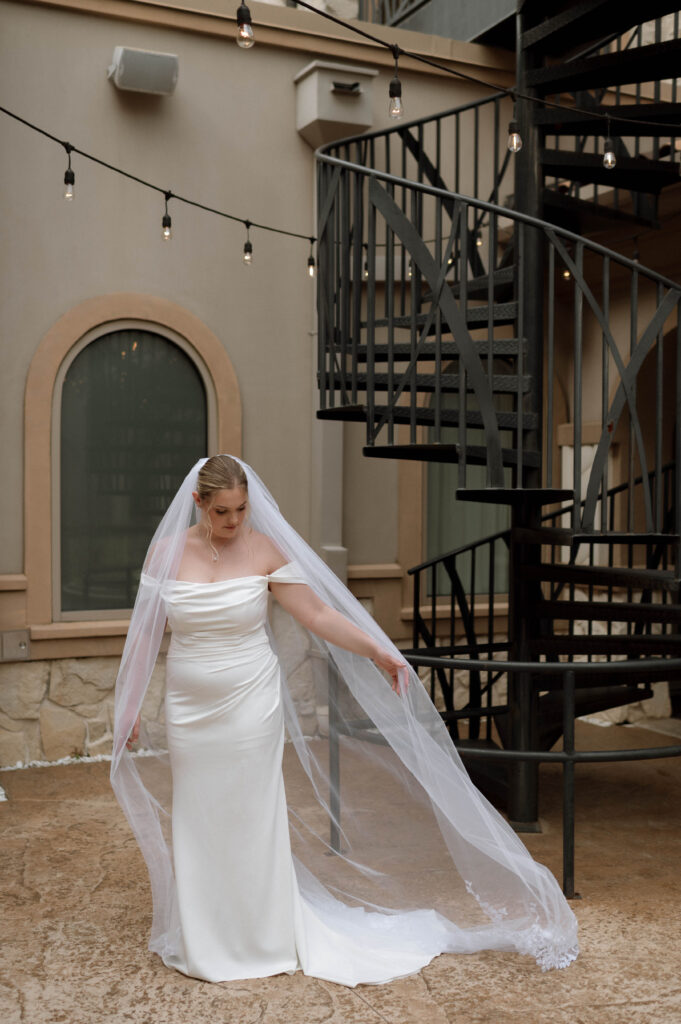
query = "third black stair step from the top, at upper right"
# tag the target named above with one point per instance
(639, 120)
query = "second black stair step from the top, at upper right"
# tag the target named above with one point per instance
(637, 65)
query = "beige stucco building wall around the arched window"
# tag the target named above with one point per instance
(227, 138)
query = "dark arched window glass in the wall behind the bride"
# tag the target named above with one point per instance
(134, 417)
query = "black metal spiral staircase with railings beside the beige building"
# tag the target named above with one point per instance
(466, 312)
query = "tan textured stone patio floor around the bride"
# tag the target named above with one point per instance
(76, 915)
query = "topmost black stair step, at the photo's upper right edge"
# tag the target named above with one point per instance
(588, 21)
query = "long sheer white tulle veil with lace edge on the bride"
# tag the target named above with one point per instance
(384, 815)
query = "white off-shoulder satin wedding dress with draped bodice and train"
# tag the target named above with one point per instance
(246, 909)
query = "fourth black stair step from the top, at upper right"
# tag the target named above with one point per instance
(633, 174)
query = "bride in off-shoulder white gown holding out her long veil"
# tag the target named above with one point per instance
(385, 855)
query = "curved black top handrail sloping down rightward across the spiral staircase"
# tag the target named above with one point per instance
(504, 211)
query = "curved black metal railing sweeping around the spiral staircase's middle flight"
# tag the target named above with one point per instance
(397, 304)
